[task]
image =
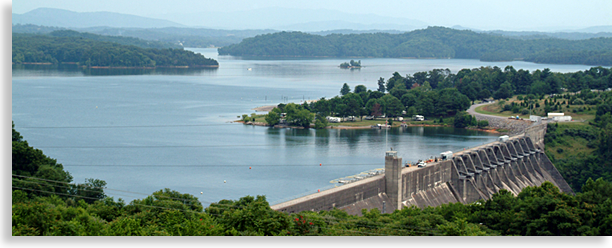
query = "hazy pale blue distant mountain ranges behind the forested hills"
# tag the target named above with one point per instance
(218, 29)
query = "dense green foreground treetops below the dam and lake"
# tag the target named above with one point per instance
(45, 202)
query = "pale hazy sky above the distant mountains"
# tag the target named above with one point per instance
(483, 14)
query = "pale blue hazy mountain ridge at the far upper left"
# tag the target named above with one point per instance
(71, 19)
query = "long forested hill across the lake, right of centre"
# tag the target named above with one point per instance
(433, 42)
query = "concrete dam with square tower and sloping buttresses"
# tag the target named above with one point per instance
(468, 176)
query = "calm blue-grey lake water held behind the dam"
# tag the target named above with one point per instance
(145, 130)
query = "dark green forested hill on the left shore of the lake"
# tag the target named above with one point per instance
(27, 48)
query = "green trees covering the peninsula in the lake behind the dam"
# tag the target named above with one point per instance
(439, 93)
